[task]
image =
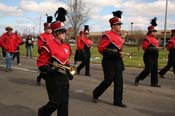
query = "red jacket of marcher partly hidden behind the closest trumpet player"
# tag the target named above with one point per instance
(43, 38)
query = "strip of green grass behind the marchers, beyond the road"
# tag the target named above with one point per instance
(96, 57)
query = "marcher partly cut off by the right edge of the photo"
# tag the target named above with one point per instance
(171, 56)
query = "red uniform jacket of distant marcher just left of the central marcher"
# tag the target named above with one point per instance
(82, 41)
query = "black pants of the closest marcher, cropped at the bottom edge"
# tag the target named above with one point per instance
(58, 93)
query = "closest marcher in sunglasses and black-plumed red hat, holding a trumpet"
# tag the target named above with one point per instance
(57, 81)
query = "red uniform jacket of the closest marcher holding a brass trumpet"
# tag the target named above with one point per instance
(60, 51)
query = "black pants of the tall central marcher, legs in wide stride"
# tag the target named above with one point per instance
(113, 72)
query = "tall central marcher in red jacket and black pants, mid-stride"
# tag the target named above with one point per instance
(110, 47)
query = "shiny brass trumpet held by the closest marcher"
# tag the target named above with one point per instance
(71, 69)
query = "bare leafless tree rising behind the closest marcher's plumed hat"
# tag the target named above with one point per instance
(78, 14)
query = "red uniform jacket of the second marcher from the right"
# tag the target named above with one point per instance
(150, 40)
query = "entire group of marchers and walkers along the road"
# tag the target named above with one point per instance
(54, 54)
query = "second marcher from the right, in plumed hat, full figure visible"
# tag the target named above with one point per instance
(151, 53)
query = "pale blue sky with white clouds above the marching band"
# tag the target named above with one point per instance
(25, 15)
